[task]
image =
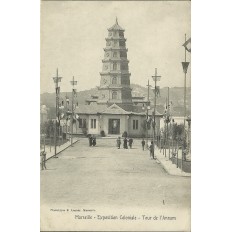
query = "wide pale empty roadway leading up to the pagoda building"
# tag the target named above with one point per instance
(84, 176)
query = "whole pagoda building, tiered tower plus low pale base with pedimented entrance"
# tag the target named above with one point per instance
(113, 110)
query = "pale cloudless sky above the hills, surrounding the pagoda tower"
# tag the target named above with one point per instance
(73, 37)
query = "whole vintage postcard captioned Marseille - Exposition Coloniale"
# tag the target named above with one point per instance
(115, 116)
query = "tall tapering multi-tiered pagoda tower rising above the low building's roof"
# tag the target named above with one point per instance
(115, 76)
